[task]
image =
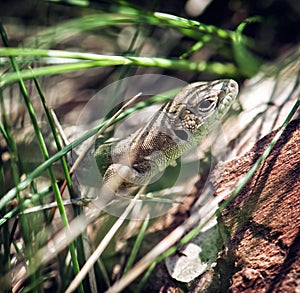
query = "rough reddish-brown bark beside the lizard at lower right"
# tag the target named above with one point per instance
(261, 225)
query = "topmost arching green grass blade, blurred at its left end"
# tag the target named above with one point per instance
(127, 16)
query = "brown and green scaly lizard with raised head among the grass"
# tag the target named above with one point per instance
(180, 124)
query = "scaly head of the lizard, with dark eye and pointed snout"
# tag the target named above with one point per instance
(200, 104)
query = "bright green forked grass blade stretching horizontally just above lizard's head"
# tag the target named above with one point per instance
(97, 60)
